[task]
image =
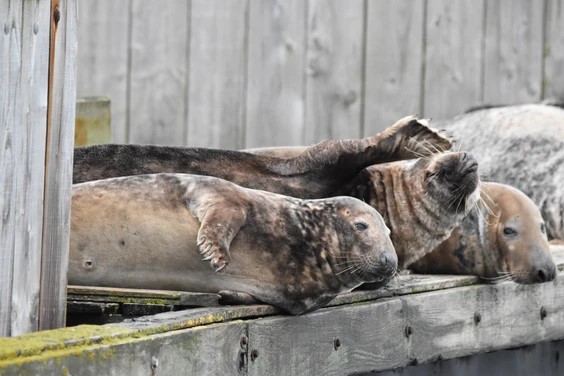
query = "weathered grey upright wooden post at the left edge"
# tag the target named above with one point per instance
(35, 161)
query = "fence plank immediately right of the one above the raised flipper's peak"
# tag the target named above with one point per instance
(453, 57)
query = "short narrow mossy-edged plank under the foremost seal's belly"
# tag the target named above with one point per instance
(140, 296)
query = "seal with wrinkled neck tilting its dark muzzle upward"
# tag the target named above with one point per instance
(422, 200)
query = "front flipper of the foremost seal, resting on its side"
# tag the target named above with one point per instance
(218, 226)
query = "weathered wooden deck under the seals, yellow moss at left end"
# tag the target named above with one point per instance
(419, 320)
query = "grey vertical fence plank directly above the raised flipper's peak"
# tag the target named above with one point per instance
(394, 44)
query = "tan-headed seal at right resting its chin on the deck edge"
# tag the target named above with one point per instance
(504, 238)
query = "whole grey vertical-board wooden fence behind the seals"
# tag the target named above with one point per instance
(246, 73)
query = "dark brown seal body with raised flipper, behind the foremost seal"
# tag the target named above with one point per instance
(324, 170)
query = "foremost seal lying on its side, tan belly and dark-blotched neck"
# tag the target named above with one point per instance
(151, 231)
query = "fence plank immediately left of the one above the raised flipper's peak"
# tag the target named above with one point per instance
(334, 70)
